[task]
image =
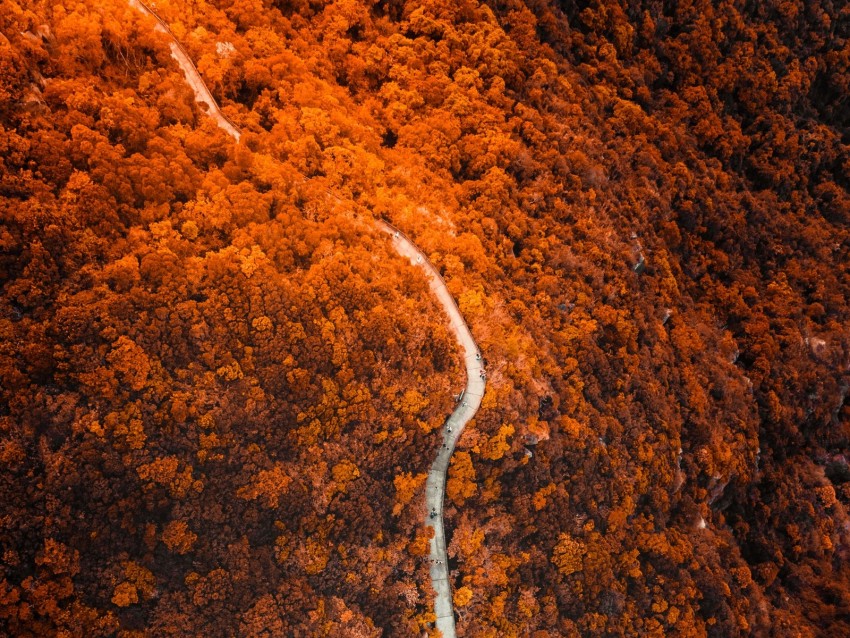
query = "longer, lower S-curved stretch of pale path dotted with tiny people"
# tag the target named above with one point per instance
(435, 487)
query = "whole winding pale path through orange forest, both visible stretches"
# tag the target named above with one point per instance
(435, 485)
